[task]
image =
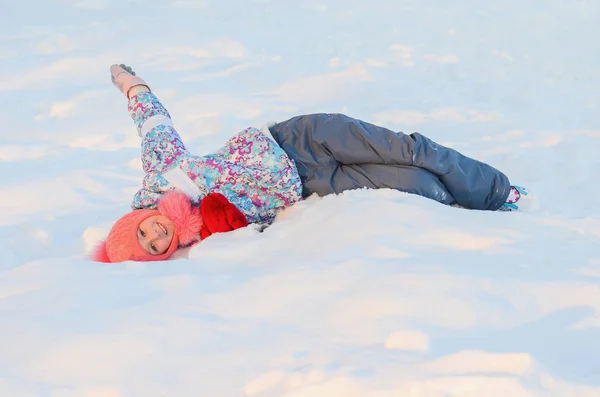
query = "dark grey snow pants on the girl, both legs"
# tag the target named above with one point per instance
(334, 153)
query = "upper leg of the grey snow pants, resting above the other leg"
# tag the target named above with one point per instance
(319, 141)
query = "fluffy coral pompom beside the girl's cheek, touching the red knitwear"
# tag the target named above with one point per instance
(185, 216)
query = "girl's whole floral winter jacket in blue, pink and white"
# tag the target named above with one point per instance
(251, 169)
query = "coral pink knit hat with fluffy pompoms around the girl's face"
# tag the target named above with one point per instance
(122, 242)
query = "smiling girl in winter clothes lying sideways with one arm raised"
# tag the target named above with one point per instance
(260, 172)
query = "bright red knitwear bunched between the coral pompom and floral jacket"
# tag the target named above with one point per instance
(219, 215)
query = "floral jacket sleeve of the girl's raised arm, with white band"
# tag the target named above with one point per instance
(161, 144)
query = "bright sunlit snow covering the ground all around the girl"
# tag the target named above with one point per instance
(367, 294)
